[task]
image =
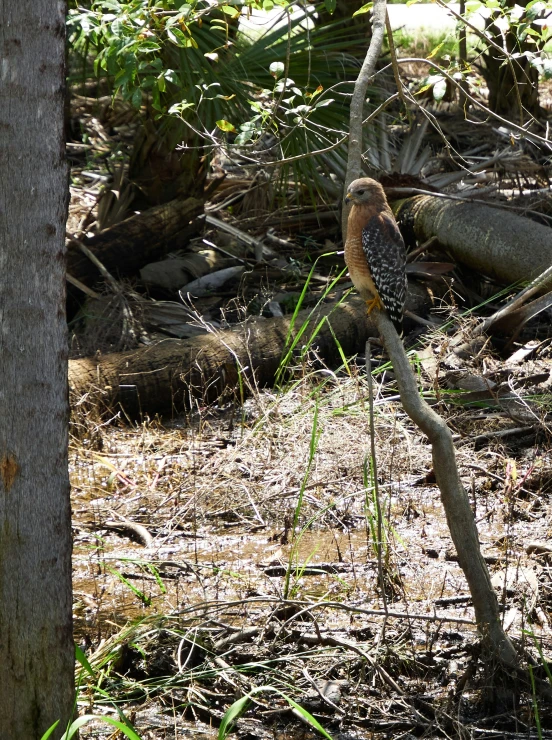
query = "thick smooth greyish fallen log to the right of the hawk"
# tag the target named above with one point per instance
(495, 242)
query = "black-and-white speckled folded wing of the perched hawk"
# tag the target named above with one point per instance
(384, 248)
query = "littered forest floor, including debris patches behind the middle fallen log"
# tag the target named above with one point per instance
(241, 554)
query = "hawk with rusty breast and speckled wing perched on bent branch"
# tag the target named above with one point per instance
(374, 249)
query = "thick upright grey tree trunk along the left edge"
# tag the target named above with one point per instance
(36, 640)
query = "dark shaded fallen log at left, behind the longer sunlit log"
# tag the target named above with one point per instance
(145, 237)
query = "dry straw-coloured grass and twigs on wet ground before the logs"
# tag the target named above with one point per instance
(217, 492)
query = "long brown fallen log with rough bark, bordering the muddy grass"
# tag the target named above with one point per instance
(164, 377)
